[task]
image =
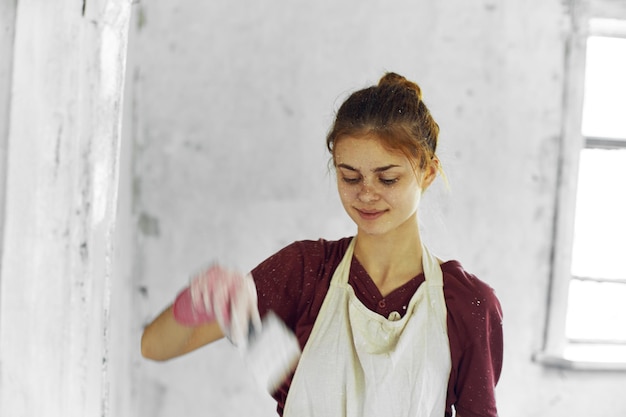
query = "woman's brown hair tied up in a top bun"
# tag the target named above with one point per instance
(394, 111)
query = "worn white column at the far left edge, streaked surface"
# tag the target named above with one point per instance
(61, 191)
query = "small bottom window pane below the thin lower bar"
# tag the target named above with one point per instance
(596, 311)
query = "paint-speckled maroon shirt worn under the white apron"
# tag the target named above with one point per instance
(294, 281)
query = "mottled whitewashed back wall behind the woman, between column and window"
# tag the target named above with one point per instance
(227, 108)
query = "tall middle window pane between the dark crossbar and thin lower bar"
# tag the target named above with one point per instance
(600, 227)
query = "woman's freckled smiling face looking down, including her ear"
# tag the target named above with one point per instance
(379, 189)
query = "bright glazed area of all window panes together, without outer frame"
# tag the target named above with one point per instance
(596, 319)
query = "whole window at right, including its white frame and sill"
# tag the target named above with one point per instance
(586, 327)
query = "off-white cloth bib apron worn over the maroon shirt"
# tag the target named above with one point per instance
(357, 363)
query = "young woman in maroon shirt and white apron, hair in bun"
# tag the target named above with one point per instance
(386, 328)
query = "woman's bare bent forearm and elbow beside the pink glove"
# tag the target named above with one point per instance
(165, 338)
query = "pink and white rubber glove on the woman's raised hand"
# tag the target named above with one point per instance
(222, 295)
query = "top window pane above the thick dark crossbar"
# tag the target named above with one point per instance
(604, 110)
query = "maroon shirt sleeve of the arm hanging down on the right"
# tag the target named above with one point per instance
(476, 325)
